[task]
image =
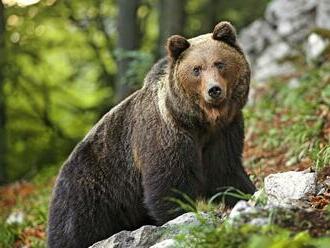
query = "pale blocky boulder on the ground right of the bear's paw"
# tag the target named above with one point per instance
(289, 188)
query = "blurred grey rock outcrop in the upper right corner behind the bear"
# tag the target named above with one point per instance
(285, 26)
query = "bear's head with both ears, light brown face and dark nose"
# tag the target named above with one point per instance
(208, 76)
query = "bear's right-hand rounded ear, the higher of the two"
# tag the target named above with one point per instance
(225, 32)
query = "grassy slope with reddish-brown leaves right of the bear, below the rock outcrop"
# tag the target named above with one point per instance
(294, 118)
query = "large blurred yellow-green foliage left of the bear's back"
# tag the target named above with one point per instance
(54, 66)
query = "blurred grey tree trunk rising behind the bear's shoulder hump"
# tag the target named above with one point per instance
(128, 40)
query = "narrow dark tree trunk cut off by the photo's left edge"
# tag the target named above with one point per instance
(3, 174)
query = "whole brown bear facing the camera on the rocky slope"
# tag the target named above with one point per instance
(181, 132)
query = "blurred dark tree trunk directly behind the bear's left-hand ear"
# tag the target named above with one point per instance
(171, 21)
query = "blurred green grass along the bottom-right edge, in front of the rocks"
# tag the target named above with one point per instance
(248, 236)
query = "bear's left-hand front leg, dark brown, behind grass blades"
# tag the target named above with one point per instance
(171, 170)
